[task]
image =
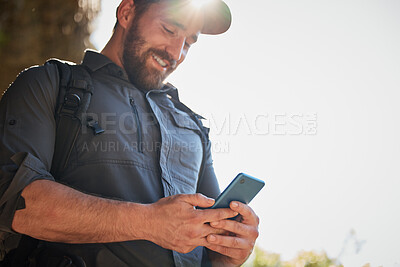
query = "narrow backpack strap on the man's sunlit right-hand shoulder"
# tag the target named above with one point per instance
(204, 131)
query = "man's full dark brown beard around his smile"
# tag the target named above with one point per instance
(135, 57)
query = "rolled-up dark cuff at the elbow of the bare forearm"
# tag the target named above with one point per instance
(27, 169)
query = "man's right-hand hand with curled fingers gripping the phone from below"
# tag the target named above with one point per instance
(235, 248)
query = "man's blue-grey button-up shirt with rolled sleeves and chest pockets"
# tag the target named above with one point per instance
(149, 150)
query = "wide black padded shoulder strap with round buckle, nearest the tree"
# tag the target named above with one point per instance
(75, 91)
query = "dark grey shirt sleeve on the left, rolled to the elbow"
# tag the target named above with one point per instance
(27, 127)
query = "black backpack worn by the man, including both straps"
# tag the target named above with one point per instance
(75, 91)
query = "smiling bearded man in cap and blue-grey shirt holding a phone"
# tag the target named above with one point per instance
(128, 196)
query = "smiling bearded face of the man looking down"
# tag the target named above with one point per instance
(156, 43)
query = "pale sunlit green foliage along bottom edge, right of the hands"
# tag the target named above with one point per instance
(303, 259)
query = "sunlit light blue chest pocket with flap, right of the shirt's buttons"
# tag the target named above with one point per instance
(187, 151)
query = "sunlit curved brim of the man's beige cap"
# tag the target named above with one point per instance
(217, 17)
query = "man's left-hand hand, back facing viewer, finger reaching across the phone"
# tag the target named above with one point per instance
(174, 222)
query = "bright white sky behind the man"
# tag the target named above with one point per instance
(304, 95)
